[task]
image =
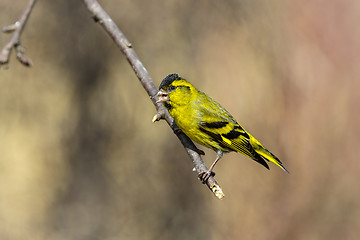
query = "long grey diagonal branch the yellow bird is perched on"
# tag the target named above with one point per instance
(100, 16)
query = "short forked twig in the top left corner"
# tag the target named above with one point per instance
(14, 42)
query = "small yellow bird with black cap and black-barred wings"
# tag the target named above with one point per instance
(206, 122)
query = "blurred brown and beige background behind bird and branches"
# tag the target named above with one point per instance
(81, 159)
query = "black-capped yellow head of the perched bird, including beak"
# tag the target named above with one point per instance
(174, 91)
